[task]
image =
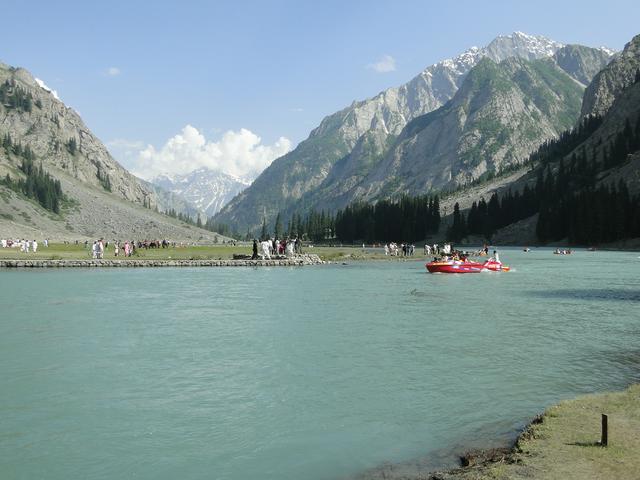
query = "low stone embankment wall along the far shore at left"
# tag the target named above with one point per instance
(298, 260)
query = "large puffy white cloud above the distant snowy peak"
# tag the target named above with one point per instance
(238, 153)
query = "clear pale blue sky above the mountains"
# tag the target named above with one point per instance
(140, 72)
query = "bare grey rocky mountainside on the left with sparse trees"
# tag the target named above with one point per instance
(102, 197)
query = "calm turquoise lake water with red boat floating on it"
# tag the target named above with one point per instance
(299, 373)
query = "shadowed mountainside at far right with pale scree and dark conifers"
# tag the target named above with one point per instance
(584, 201)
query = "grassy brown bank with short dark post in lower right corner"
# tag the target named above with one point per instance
(564, 444)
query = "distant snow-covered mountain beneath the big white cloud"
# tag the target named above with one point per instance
(205, 189)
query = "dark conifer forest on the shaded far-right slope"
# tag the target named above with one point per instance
(567, 199)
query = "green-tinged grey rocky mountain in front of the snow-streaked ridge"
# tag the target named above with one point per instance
(500, 114)
